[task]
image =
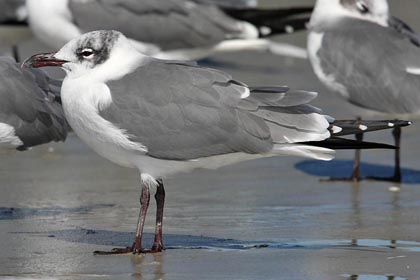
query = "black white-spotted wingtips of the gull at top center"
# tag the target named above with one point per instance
(273, 21)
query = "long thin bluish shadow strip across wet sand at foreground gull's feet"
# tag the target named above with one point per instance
(191, 242)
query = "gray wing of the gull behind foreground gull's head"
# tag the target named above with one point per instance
(169, 24)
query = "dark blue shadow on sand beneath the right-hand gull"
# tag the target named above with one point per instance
(343, 169)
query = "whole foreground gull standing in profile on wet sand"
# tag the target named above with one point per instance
(164, 117)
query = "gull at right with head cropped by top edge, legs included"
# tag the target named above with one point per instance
(370, 58)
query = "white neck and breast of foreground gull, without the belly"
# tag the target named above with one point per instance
(85, 93)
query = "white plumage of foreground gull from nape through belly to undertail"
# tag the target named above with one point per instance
(84, 93)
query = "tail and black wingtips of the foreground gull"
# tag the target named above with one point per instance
(298, 128)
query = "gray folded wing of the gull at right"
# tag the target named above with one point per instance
(376, 65)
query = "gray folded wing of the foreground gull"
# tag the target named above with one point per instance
(182, 111)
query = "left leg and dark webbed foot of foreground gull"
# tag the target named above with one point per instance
(136, 248)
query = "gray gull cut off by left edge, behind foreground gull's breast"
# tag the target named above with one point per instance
(30, 110)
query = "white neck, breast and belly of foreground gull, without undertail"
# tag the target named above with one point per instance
(108, 140)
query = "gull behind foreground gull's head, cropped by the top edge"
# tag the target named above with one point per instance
(166, 29)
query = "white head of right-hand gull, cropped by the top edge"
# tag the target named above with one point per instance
(376, 11)
